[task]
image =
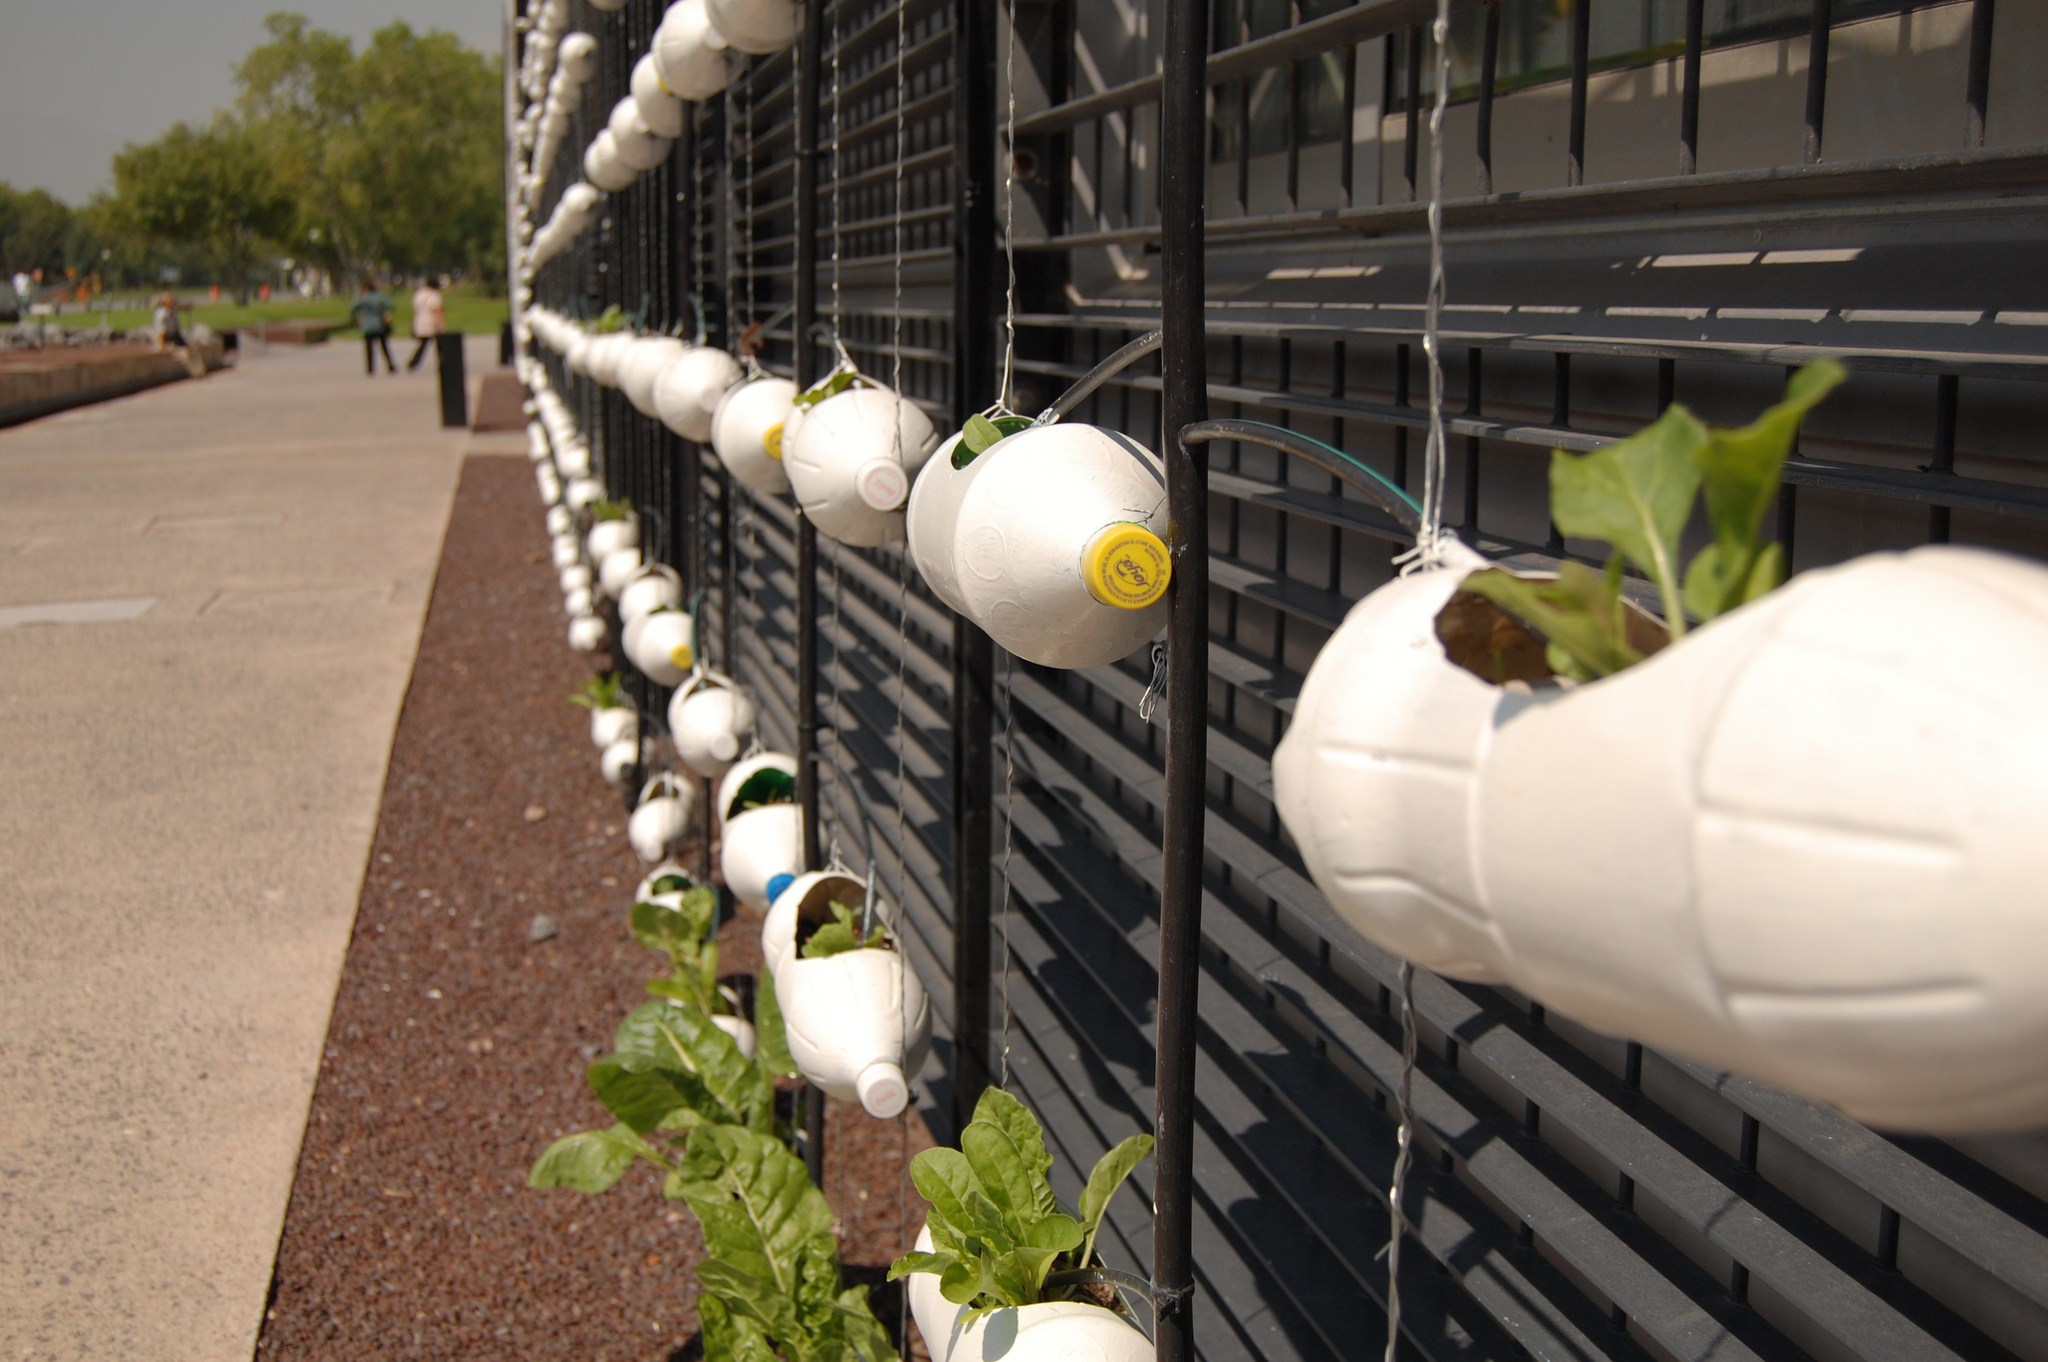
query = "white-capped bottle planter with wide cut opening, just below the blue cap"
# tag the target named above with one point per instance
(857, 1021)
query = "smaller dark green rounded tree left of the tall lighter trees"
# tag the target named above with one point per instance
(214, 191)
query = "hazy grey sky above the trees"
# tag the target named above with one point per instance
(79, 79)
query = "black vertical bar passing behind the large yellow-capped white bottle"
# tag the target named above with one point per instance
(974, 656)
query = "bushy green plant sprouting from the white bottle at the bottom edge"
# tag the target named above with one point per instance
(1000, 1236)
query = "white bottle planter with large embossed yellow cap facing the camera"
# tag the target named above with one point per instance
(1050, 542)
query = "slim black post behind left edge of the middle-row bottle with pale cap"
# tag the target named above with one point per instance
(810, 50)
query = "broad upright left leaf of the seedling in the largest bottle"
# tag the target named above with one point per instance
(1637, 497)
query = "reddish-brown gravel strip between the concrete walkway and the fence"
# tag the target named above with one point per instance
(460, 1041)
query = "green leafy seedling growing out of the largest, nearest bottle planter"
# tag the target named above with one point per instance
(1637, 497)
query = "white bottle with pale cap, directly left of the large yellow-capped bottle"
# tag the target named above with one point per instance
(851, 468)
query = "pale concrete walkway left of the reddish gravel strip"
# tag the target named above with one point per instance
(210, 603)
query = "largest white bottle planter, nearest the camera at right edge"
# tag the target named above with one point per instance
(1801, 845)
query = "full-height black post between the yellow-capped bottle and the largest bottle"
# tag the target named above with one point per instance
(1183, 167)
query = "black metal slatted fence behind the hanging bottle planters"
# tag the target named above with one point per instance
(1648, 202)
